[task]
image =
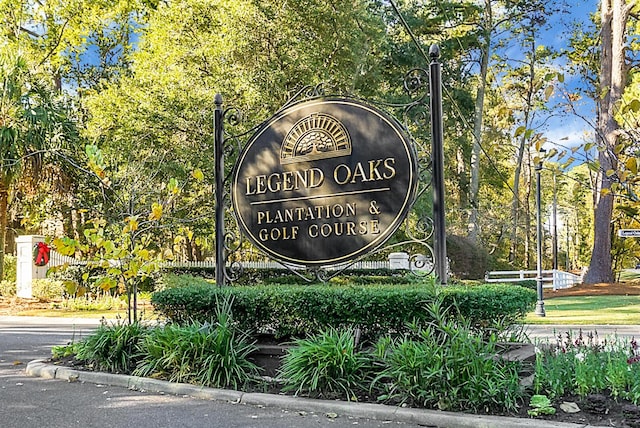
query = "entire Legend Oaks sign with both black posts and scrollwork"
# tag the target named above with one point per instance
(328, 180)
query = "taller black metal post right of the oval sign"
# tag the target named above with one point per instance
(437, 158)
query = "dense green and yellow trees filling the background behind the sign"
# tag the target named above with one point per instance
(138, 81)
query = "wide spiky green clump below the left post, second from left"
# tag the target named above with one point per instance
(209, 354)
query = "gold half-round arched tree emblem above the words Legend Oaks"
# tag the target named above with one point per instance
(317, 136)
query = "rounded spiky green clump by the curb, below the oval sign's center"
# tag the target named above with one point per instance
(327, 364)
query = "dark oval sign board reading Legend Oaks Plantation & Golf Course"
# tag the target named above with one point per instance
(324, 182)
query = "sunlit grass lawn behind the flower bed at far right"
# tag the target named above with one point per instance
(584, 310)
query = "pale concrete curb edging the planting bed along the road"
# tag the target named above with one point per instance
(434, 418)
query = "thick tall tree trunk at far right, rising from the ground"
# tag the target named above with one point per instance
(613, 70)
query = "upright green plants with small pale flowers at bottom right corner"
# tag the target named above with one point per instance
(586, 364)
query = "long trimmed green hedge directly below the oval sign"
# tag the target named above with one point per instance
(299, 311)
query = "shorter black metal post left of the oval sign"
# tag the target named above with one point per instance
(219, 191)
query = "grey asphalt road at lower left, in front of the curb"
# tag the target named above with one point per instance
(30, 402)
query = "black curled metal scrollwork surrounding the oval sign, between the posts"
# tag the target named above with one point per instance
(413, 238)
